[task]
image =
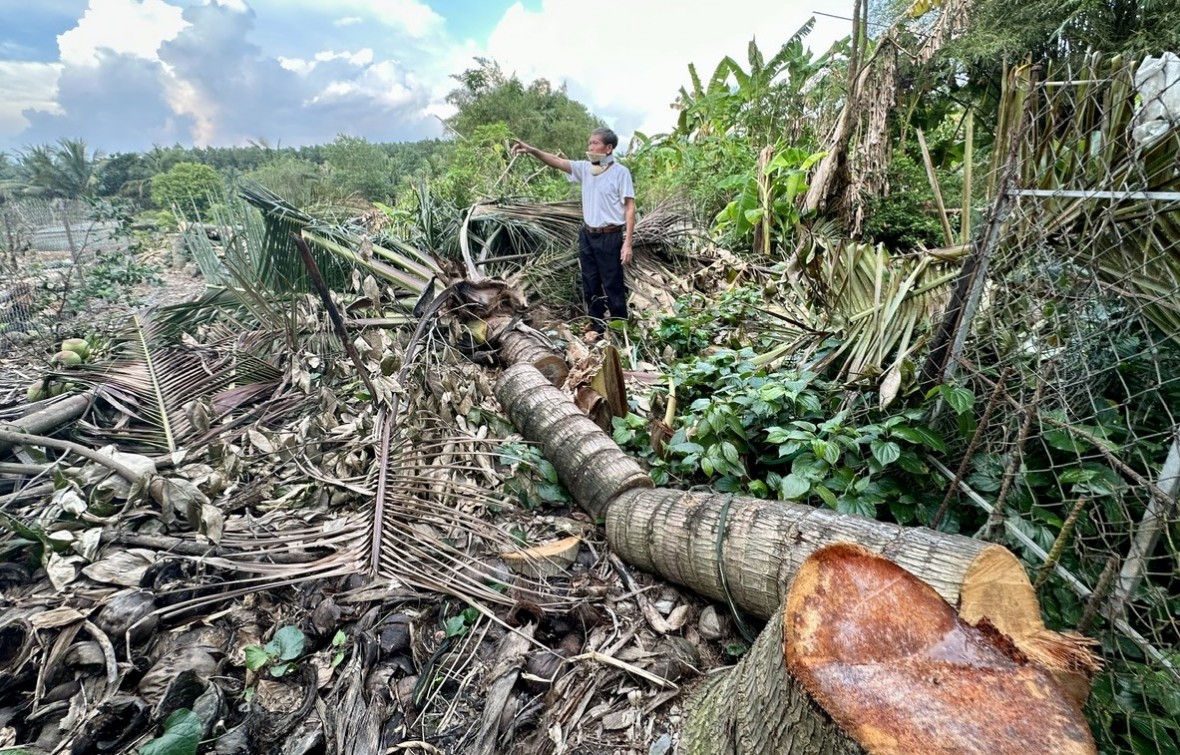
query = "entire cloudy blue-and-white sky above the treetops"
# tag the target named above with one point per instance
(126, 75)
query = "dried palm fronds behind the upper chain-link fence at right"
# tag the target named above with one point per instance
(1080, 155)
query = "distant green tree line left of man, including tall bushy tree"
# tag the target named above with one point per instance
(491, 107)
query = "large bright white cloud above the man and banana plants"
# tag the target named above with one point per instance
(628, 61)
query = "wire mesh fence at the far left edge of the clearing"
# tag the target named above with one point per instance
(47, 247)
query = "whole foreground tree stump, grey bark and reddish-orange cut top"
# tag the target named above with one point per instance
(894, 671)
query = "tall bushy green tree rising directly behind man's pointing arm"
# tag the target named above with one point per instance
(535, 113)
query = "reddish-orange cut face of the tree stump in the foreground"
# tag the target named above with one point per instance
(899, 671)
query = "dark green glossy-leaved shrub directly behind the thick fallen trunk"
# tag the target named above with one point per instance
(788, 435)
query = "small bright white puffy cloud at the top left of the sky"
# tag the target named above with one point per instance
(124, 27)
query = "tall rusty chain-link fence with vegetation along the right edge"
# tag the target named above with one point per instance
(1071, 340)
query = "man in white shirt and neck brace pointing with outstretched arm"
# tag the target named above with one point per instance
(608, 215)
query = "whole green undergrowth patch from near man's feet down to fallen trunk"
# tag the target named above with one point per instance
(753, 428)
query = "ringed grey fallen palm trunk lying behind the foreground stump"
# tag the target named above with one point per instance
(707, 542)
